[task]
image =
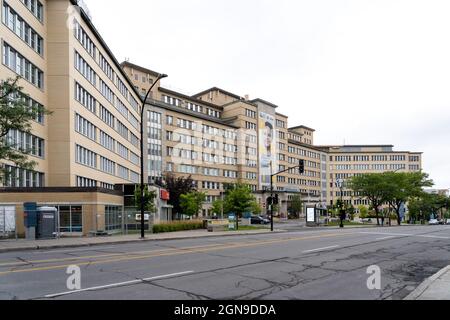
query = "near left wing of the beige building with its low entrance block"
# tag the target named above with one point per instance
(90, 142)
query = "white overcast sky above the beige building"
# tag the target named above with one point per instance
(359, 71)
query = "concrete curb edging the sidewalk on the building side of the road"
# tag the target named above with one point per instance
(82, 245)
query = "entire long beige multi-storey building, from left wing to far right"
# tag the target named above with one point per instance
(88, 150)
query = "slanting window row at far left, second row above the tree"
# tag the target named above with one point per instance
(17, 25)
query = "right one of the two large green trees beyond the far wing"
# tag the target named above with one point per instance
(402, 186)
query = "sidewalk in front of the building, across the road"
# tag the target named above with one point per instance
(21, 244)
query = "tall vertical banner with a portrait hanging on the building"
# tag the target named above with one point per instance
(267, 148)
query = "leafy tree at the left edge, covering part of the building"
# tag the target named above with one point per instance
(15, 114)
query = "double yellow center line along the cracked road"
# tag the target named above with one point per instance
(180, 251)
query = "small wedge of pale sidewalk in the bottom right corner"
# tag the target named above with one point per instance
(436, 287)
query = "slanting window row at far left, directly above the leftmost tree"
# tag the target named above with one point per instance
(21, 66)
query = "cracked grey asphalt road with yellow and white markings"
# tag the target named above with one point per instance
(322, 264)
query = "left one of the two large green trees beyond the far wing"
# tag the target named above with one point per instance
(371, 186)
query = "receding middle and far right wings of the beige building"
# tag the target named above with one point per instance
(219, 137)
